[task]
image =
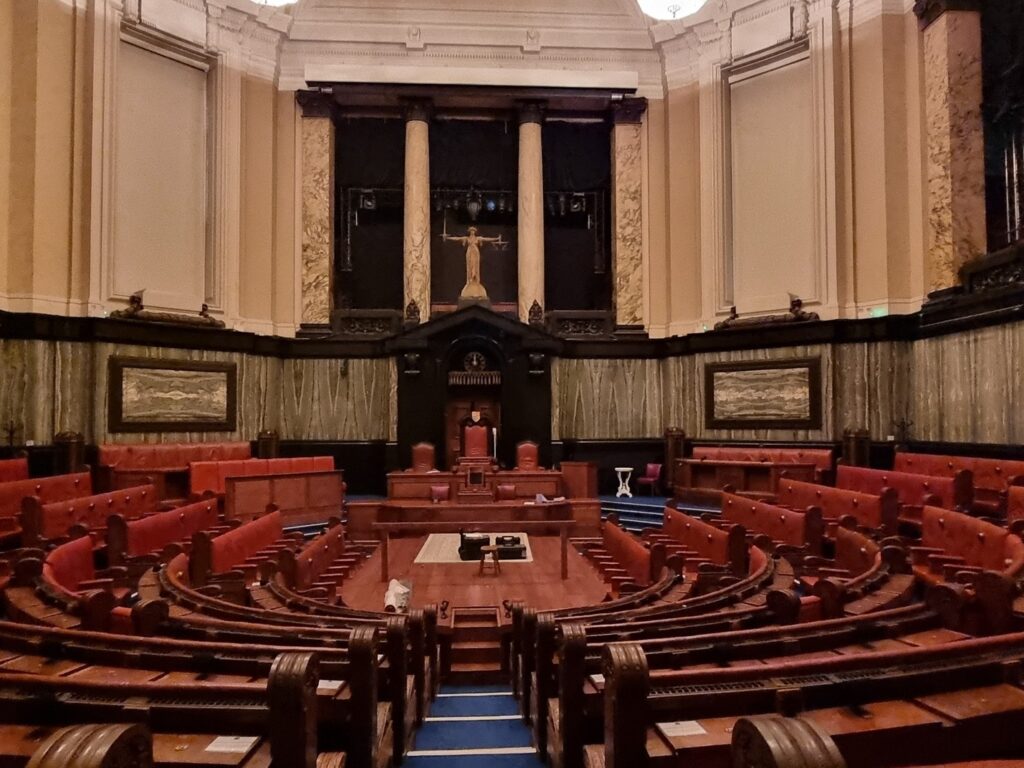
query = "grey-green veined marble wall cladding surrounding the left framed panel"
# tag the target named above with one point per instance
(48, 388)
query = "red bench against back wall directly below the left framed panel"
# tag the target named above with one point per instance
(164, 465)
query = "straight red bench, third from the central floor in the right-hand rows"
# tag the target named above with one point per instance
(839, 505)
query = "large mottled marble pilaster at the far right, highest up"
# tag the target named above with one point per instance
(956, 141)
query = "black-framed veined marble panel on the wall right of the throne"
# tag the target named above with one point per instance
(763, 395)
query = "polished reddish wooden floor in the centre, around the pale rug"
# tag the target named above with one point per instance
(538, 583)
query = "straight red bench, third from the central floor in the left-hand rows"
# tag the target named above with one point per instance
(163, 534)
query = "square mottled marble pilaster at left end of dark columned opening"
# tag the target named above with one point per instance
(318, 209)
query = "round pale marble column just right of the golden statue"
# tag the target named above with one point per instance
(531, 230)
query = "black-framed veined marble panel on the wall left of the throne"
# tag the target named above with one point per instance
(165, 396)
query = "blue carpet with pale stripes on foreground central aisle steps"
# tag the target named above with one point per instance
(474, 727)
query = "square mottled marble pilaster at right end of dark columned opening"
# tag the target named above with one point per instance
(627, 210)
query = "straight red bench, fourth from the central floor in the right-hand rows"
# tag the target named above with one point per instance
(913, 491)
